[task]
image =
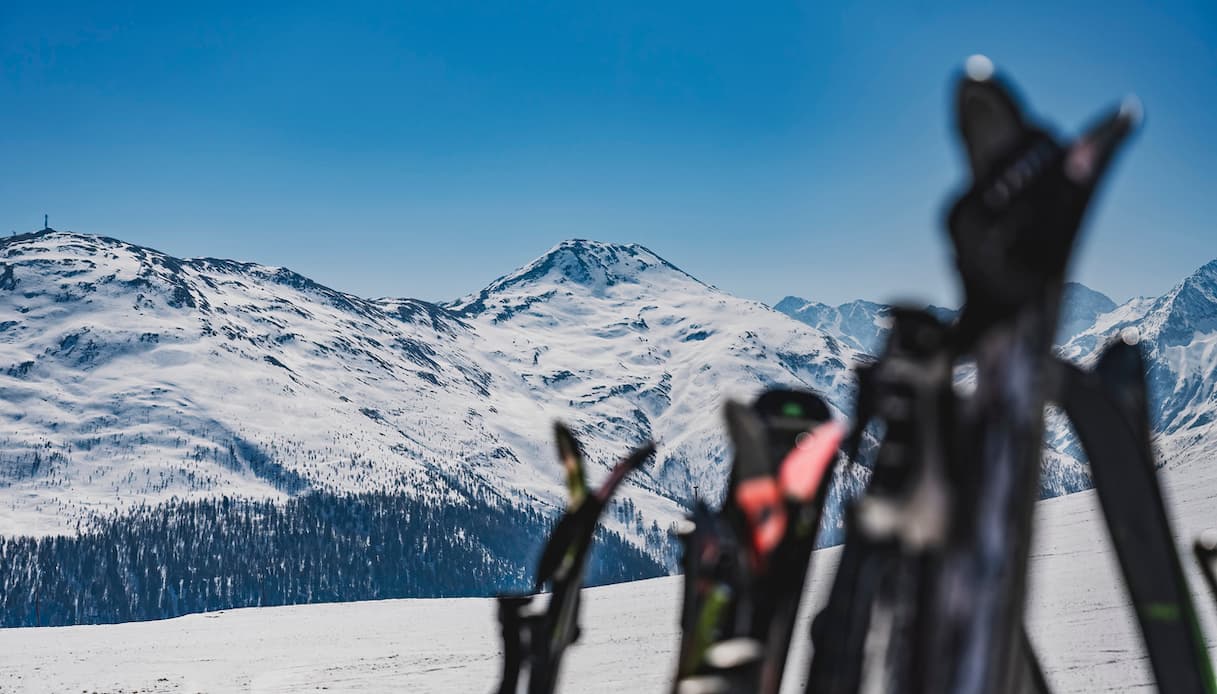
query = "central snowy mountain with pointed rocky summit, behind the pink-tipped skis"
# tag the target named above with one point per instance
(632, 348)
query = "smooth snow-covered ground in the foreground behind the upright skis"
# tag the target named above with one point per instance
(1079, 619)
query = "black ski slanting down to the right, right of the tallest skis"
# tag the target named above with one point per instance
(1111, 413)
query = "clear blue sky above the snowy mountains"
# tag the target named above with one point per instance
(425, 149)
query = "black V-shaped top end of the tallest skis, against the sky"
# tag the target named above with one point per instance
(1029, 197)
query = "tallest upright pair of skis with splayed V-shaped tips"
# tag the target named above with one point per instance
(1013, 234)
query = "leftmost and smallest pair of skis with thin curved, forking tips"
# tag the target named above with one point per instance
(535, 640)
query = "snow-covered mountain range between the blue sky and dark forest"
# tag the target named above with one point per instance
(130, 377)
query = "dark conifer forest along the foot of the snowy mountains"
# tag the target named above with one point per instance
(197, 556)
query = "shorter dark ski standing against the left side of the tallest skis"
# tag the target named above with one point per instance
(901, 519)
